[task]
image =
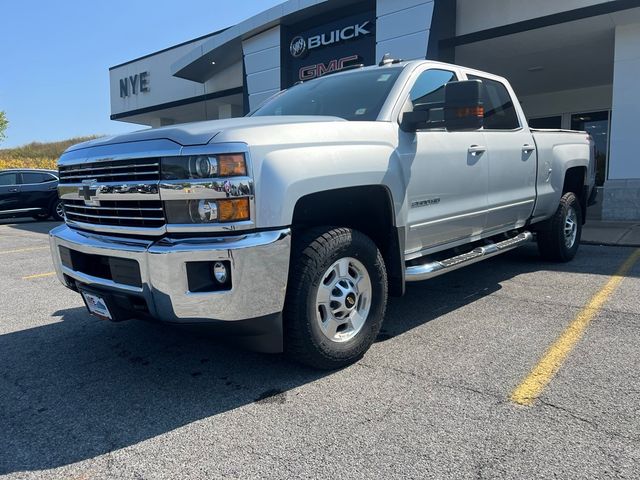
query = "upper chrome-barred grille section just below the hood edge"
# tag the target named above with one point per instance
(113, 171)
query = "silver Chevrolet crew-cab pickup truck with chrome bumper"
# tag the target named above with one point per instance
(290, 227)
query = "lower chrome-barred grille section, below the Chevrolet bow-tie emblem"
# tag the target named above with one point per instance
(142, 214)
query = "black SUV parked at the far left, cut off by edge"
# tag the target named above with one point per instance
(30, 193)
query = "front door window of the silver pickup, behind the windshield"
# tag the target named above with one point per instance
(428, 94)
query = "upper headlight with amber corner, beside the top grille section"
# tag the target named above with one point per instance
(204, 166)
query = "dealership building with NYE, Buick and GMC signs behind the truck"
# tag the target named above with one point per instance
(575, 64)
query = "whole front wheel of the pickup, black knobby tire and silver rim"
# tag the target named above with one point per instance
(328, 263)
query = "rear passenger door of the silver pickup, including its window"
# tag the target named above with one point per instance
(511, 158)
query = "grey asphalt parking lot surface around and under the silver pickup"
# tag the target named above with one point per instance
(81, 398)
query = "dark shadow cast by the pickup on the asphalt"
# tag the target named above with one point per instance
(77, 388)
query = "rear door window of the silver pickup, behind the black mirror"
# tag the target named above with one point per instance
(499, 110)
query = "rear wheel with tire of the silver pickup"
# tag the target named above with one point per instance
(559, 242)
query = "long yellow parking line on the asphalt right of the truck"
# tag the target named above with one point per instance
(532, 386)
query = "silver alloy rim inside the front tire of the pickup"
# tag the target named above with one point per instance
(343, 300)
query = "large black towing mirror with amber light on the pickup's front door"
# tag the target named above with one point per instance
(463, 108)
